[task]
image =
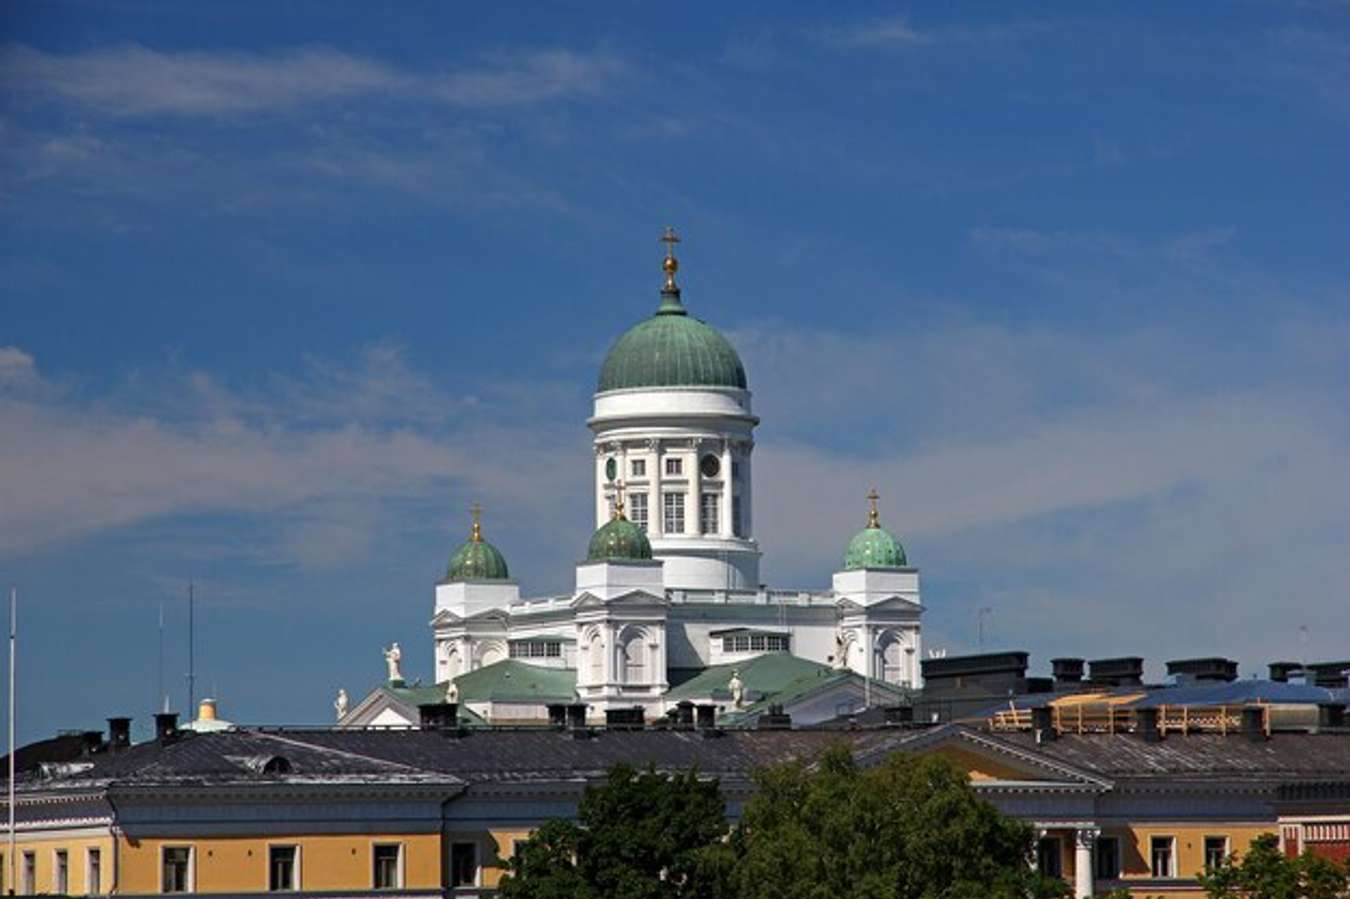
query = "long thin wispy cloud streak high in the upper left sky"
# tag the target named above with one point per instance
(141, 82)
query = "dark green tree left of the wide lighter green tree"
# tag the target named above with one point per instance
(638, 836)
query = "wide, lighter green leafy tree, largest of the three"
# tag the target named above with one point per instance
(911, 828)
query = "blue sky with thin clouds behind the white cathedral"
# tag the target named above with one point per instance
(288, 285)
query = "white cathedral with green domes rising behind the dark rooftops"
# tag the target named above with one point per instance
(668, 605)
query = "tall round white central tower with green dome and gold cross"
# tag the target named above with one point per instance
(674, 427)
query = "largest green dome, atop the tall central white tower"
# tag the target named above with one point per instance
(672, 350)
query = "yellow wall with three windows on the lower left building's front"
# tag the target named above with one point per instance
(241, 863)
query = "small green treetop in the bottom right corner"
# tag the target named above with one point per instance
(1268, 874)
